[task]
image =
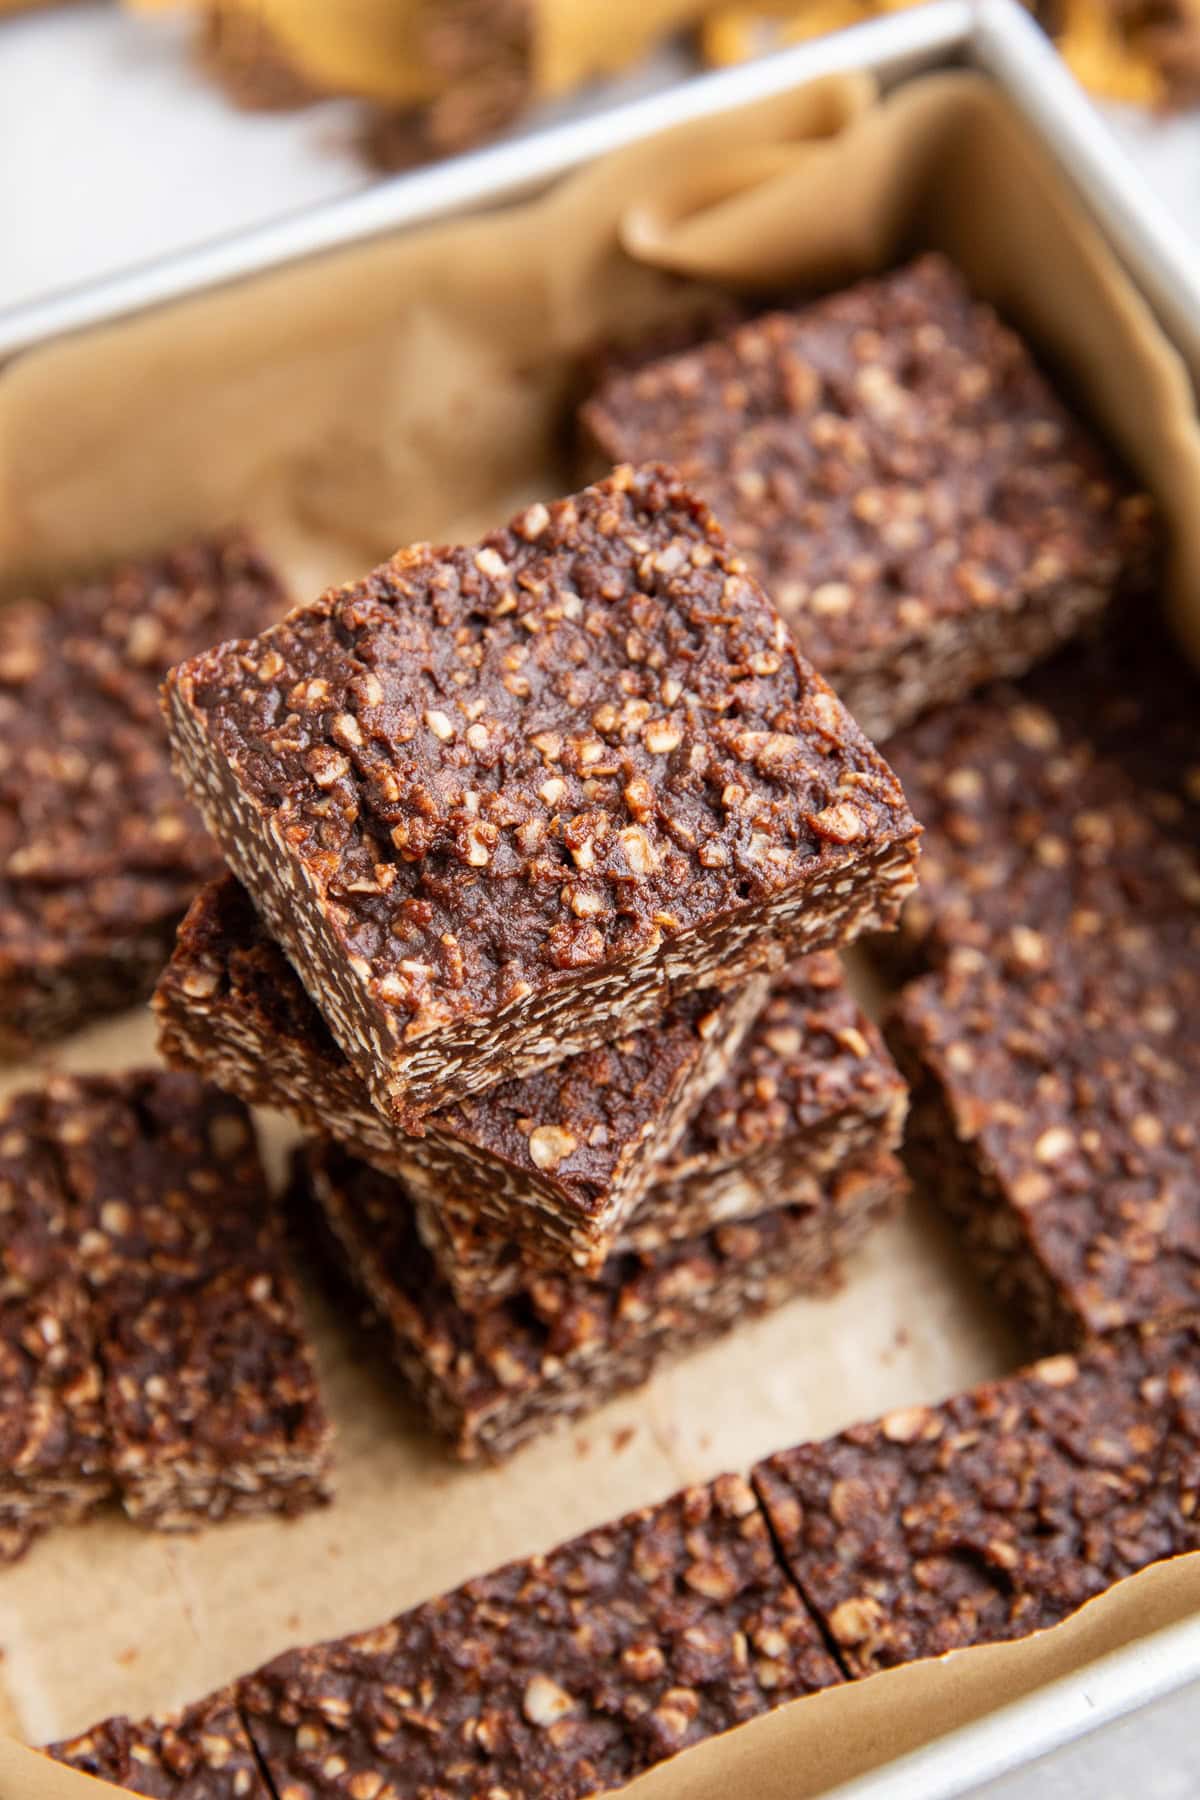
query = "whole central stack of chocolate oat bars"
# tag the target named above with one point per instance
(541, 850)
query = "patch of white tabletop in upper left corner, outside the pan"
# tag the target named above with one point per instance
(114, 148)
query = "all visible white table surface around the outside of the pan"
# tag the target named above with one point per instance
(116, 150)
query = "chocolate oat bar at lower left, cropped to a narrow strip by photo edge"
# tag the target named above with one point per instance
(53, 1444)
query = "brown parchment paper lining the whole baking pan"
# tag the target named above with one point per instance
(416, 388)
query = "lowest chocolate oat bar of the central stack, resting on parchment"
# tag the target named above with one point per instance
(494, 1378)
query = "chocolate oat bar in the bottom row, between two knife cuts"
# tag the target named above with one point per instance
(569, 1673)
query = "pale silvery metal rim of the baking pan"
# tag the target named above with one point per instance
(998, 39)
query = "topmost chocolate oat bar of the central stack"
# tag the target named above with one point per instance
(503, 804)
